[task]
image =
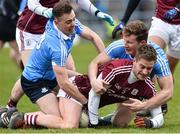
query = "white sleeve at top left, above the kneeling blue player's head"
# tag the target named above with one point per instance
(36, 7)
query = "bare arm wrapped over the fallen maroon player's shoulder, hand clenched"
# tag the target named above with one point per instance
(96, 84)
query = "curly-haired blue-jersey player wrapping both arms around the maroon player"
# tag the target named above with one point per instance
(135, 34)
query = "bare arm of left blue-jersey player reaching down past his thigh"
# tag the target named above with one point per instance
(63, 81)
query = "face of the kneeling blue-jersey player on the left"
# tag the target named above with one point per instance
(66, 23)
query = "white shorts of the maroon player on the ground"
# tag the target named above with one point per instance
(63, 94)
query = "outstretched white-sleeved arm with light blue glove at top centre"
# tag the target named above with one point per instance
(90, 8)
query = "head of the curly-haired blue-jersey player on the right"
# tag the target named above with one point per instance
(134, 34)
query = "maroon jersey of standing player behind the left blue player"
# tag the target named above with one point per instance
(33, 23)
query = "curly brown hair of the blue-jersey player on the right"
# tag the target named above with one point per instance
(137, 28)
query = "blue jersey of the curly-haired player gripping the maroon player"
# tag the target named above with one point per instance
(161, 68)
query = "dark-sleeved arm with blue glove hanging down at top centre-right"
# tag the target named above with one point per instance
(132, 4)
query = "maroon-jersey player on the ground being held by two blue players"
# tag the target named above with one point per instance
(124, 80)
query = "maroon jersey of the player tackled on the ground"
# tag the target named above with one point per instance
(117, 73)
